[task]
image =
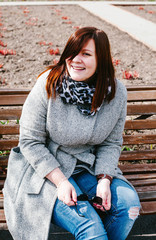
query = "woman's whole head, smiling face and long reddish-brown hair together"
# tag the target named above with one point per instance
(96, 61)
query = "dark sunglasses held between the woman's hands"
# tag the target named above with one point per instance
(96, 202)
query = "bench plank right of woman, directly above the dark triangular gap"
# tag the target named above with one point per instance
(140, 109)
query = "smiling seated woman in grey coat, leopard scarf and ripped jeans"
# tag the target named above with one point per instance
(65, 170)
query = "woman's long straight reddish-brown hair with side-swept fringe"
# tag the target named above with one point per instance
(105, 74)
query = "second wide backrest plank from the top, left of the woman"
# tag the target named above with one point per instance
(10, 114)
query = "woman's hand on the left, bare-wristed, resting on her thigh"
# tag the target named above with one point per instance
(67, 193)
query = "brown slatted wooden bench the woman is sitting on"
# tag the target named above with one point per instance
(138, 162)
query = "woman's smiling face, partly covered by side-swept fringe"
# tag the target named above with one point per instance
(83, 66)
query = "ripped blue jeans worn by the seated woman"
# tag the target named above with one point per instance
(116, 224)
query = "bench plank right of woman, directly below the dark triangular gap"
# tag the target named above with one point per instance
(140, 124)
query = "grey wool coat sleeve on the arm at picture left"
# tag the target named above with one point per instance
(33, 134)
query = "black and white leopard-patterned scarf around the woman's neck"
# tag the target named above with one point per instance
(78, 93)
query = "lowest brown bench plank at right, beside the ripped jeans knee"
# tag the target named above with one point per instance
(148, 208)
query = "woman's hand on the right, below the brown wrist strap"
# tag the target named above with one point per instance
(103, 191)
